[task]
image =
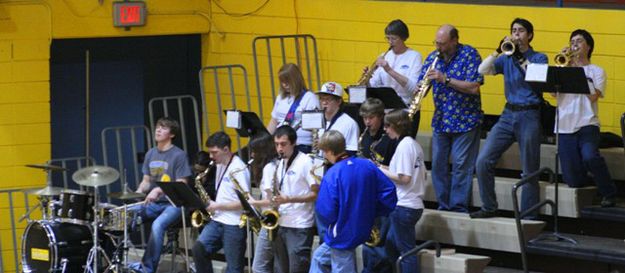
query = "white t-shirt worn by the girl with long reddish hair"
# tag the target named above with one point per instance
(281, 107)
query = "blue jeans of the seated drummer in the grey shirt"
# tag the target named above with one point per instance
(164, 215)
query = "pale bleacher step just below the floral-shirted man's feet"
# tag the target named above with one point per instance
(459, 229)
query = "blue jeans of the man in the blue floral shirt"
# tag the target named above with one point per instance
(453, 191)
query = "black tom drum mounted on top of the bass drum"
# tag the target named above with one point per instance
(77, 207)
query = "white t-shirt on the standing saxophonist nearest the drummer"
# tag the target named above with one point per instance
(225, 190)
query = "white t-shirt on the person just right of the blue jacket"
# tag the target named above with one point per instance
(408, 160)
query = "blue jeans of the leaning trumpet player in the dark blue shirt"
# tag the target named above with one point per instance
(525, 128)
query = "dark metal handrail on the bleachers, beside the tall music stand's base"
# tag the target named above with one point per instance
(519, 215)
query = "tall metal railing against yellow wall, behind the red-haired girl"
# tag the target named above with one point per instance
(302, 57)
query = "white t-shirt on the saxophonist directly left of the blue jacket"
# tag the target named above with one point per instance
(297, 181)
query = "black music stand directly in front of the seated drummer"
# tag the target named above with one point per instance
(180, 195)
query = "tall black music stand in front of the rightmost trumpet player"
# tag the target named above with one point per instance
(568, 80)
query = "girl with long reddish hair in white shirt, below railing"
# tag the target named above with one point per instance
(294, 98)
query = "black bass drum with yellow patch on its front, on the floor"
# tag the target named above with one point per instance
(50, 246)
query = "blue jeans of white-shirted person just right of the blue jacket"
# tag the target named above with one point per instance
(401, 237)
